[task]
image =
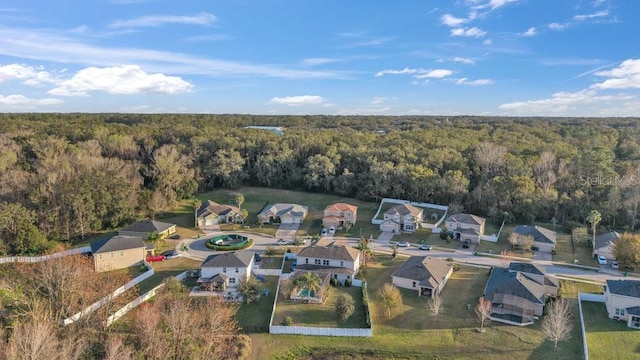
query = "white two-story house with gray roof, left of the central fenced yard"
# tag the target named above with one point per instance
(221, 271)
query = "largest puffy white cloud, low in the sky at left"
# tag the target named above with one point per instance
(127, 80)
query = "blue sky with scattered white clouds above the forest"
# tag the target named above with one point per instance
(367, 57)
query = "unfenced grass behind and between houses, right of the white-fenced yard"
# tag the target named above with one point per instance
(412, 333)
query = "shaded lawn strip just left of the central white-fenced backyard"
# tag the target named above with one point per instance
(254, 317)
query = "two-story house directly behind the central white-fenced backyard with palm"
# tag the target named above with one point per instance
(340, 261)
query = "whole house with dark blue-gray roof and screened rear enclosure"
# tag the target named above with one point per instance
(518, 293)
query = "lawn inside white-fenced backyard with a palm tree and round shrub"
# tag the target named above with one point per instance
(322, 315)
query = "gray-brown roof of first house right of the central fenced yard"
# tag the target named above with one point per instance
(428, 271)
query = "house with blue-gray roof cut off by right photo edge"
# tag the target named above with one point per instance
(622, 299)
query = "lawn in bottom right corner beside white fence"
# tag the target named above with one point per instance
(606, 338)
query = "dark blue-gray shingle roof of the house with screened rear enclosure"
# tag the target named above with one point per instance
(503, 281)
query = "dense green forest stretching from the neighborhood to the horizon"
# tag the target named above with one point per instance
(63, 176)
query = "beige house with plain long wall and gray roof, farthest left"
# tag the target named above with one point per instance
(118, 252)
